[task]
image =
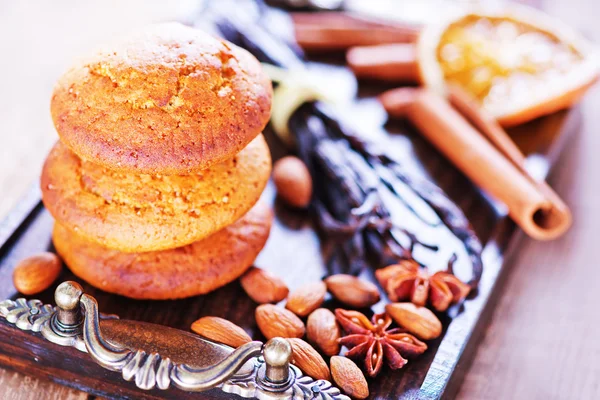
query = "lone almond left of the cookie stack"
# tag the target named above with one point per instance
(37, 273)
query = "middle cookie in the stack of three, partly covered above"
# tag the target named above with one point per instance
(138, 213)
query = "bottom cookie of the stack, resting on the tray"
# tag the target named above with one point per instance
(187, 271)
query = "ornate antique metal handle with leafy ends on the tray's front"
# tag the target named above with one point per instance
(157, 356)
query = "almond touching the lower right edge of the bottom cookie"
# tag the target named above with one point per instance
(263, 287)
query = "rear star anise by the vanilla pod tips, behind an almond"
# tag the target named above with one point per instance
(409, 281)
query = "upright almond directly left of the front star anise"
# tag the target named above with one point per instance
(323, 331)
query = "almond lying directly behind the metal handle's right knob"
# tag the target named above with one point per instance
(274, 321)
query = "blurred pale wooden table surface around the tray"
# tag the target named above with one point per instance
(542, 341)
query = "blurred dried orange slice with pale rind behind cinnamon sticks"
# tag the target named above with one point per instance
(517, 62)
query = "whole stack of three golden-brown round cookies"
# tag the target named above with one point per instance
(155, 181)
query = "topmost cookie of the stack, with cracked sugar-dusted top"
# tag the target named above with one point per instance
(169, 99)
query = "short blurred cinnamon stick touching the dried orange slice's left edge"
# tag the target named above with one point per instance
(388, 62)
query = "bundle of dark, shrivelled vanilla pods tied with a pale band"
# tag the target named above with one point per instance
(353, 181)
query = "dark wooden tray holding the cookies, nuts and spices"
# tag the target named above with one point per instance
(292, 253)
